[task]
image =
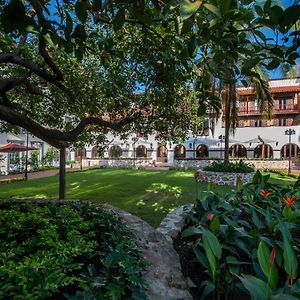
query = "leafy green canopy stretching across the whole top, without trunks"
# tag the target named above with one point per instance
(71, 68)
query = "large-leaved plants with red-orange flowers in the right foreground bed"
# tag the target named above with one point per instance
(247, 241)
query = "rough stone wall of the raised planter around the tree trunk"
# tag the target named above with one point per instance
(222, 178)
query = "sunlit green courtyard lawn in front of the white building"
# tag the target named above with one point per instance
(147, 194)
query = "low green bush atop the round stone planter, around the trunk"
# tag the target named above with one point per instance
(240, 167)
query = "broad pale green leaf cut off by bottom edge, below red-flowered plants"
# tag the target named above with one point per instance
(257, 288)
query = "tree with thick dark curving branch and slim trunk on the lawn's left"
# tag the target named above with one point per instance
(82, 69)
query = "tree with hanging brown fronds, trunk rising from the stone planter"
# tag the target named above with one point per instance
(231, 40)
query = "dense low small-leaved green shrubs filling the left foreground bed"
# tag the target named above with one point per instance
(75, 250)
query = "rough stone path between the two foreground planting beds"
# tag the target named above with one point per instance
(163, 277)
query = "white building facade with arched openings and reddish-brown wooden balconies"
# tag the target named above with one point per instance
(256, 137)
